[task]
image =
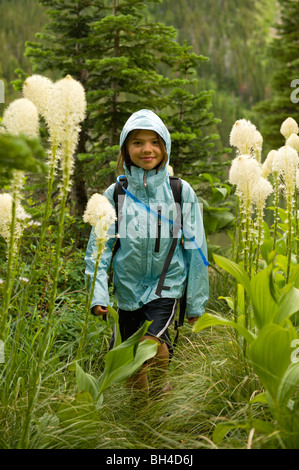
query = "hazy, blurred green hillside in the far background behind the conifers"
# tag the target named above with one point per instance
(233, 34)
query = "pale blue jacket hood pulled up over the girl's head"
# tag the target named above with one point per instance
(146, 119)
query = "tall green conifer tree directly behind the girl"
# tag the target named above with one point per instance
(125, 63)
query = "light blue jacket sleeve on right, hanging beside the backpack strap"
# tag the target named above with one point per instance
(198, 279)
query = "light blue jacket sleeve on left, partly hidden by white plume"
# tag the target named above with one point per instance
(101, 293)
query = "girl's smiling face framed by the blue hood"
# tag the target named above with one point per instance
(144, 149)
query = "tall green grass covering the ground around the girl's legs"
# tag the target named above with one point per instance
(207, 372)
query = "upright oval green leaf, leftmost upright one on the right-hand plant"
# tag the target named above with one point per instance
(264, 306)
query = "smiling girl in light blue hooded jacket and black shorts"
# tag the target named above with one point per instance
(145, 240)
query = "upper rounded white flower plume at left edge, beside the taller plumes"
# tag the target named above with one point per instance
(21, 117)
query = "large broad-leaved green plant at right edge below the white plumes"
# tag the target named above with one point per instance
(270, 339)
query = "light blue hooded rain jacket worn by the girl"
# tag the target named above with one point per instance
(144, 245)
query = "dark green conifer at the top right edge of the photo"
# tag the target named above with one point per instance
(283, 49)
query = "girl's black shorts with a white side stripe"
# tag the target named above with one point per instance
(160, 311)
